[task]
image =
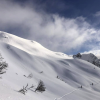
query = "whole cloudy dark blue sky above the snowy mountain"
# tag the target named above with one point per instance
(68, 26)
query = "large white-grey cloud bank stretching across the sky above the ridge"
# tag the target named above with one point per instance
(54, 32)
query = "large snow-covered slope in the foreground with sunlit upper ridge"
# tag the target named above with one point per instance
(65, 78)
